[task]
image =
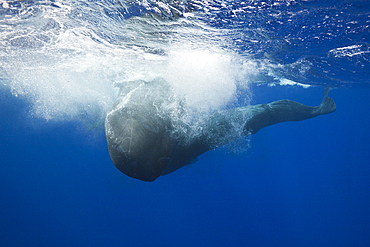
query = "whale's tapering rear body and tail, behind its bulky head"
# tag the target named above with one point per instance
(222, 127)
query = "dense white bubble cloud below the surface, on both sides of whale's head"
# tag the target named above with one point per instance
(84, 84)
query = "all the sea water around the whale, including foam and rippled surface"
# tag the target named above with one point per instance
(291, 184)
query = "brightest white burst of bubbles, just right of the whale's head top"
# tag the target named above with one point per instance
(204, 78)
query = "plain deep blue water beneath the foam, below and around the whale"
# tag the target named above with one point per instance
(300, 184)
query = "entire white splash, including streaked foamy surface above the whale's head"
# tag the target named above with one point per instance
(68, 66)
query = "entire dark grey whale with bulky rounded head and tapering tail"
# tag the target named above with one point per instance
(146, 141)
